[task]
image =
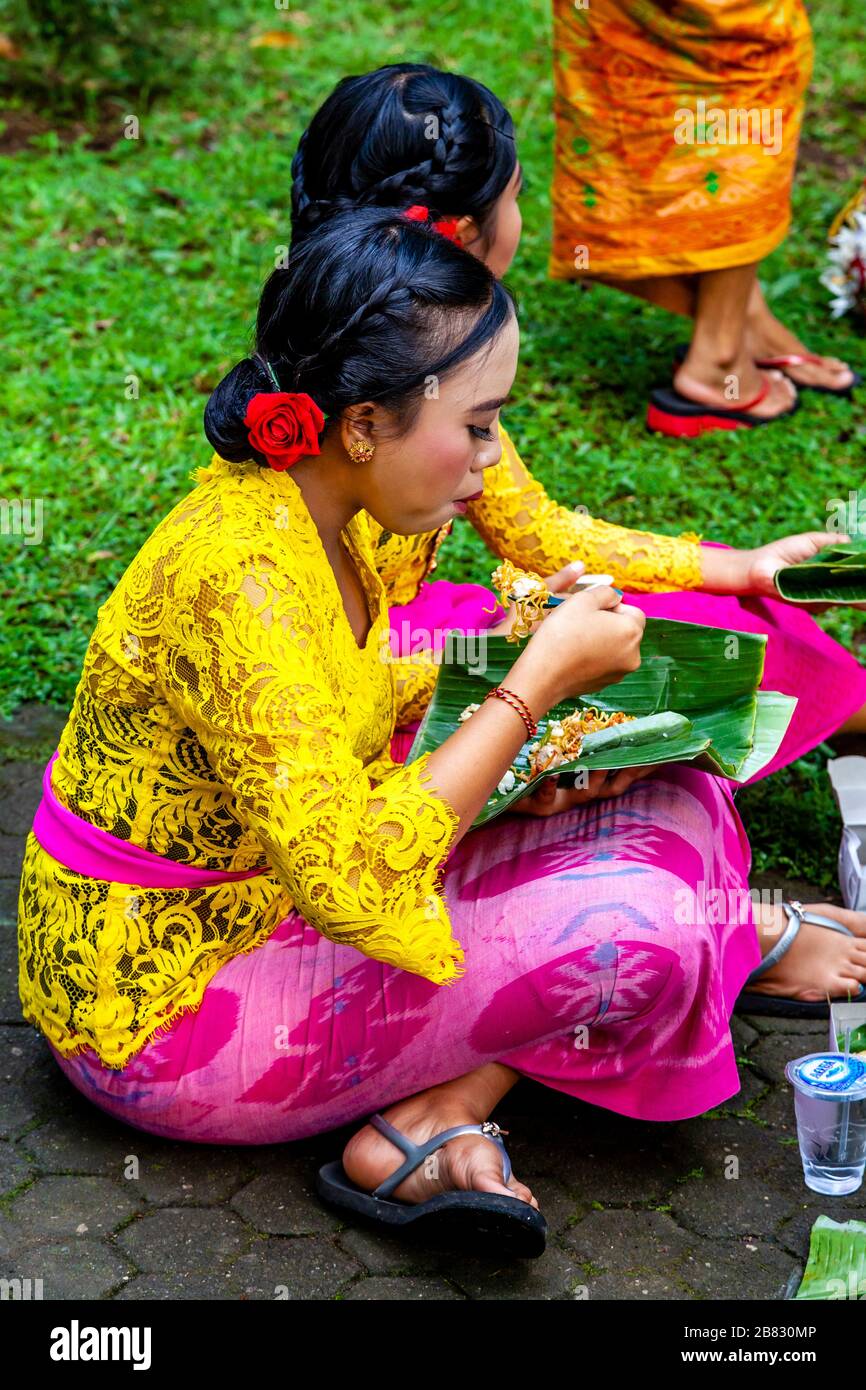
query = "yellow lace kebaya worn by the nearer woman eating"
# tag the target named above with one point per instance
(226, 718)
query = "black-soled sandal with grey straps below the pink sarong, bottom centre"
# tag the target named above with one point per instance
(477, 1223)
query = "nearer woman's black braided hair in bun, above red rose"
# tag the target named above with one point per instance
(372, 306)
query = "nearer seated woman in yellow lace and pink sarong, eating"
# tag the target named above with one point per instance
(240, 921)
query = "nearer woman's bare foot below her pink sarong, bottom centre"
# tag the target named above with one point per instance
(468, 1163)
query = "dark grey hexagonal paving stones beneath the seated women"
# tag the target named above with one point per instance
(711, 1209)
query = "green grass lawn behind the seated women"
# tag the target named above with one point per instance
(142, 259)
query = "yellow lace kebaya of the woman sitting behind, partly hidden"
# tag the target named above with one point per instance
(519, 522)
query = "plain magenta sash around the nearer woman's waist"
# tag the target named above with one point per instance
(95, 853)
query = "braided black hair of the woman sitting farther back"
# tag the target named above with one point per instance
(404, 134)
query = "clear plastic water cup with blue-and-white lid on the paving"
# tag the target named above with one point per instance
(831, 1106)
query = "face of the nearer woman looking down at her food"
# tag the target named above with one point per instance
(425, 479)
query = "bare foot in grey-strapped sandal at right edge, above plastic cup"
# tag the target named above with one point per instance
(819, 963)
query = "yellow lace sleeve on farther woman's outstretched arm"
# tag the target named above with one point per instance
(519, 522)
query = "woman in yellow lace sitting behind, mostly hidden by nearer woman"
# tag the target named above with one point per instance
(409, 134)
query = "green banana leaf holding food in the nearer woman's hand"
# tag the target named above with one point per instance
(694, 697)
